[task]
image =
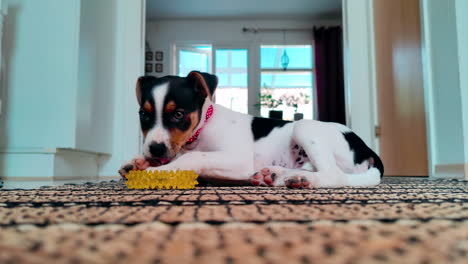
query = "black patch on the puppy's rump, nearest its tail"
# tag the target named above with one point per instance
(362, 152)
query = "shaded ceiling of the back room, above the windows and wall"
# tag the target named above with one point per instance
(251, 9)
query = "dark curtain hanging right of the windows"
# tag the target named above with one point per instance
(328, 47)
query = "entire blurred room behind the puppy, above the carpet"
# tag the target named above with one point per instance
(394, 71)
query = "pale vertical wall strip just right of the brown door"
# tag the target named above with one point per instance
(442, 86)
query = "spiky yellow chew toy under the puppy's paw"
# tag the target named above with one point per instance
(178, 179)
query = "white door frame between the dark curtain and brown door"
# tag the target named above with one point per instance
(359, 69)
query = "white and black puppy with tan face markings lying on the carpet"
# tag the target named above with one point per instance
(184, 130)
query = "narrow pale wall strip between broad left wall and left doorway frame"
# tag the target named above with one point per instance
(96, 75)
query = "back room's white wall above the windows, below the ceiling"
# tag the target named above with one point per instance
(163, 35)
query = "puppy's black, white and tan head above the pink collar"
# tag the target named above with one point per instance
(170, 111)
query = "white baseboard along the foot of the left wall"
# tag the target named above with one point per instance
(48, 164)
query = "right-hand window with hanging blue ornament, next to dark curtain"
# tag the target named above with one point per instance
(287, 91)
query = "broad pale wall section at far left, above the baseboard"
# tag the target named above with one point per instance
(39, 88)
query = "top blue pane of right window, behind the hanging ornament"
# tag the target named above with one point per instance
(300, 57)
